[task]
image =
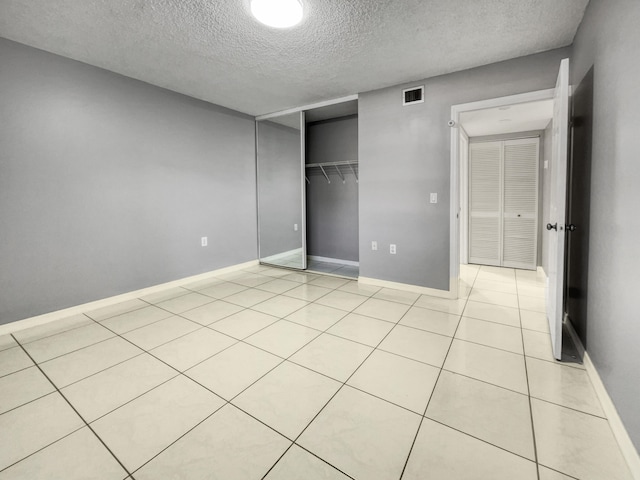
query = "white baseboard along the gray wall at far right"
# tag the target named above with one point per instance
(620, 433)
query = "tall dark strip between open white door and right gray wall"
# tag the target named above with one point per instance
(579, 192)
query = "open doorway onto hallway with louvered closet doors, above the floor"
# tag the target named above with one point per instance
(503, 186)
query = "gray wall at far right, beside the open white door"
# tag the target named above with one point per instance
(609, 39)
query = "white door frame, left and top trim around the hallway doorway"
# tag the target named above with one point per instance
(455, 179)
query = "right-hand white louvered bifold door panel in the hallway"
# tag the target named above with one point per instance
(520, 197)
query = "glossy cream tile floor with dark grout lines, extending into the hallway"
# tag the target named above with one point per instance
(267, 373)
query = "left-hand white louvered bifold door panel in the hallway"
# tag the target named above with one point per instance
(485, 186)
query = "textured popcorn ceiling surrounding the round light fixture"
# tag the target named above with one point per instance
(214, 50)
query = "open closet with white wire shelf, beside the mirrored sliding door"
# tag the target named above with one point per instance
(331, 177)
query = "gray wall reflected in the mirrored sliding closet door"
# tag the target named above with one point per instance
(279, 188)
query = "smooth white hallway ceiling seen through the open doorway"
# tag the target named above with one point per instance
(523, 117)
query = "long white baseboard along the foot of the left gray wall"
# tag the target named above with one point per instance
(85, 307)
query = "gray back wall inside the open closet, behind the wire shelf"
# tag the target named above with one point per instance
(332, 208)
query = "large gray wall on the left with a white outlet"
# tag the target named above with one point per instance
(107, 184)
